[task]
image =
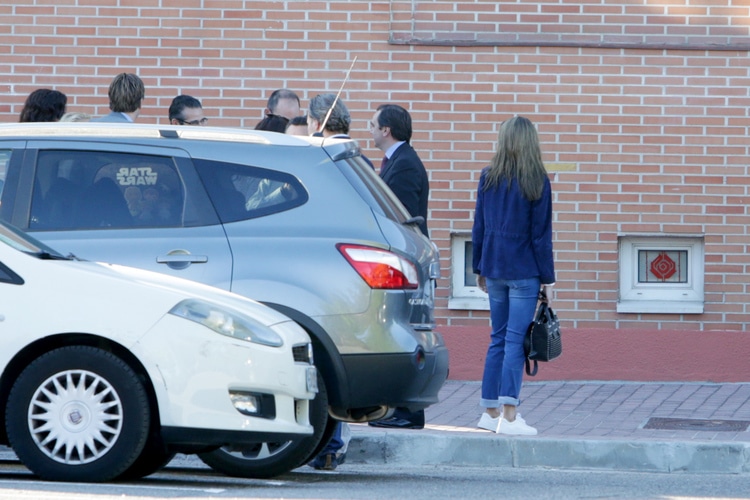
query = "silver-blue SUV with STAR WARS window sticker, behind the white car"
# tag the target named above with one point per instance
(303, 225)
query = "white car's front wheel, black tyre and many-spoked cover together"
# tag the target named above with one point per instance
(78, 413)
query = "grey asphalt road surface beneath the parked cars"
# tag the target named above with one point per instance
(186, 479)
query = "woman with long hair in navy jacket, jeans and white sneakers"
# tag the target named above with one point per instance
(512, 239)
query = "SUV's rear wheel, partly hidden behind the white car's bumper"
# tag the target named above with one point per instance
(265, 460)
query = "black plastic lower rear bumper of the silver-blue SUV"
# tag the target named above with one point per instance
(405, 380)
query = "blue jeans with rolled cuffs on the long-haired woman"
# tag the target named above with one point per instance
(512, 307)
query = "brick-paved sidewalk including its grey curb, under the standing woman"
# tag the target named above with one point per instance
(637, 426)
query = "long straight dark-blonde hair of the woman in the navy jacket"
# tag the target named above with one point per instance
(518, 157)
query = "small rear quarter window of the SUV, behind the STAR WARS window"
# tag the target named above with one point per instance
(241, 192)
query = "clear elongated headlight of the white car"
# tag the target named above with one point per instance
(226, 322)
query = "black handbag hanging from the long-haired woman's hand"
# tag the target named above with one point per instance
(542, 341)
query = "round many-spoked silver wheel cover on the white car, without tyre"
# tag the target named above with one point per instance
(75, 417)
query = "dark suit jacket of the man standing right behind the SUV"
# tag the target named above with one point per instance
(405, 174)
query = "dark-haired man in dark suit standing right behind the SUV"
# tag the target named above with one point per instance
(404, 173)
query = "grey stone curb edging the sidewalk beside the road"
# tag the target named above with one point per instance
(401, 448)
